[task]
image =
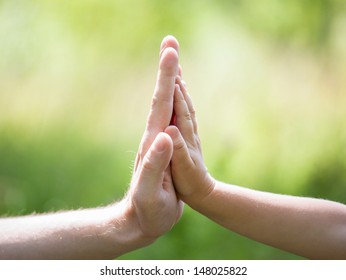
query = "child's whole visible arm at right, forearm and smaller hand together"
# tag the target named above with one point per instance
(311, 228)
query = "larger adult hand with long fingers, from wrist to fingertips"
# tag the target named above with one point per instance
(152, 199)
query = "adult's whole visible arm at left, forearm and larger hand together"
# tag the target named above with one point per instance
(149, 209)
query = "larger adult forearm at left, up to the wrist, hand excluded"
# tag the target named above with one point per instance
(101, 233)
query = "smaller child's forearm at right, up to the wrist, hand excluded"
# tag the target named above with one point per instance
(312, 228)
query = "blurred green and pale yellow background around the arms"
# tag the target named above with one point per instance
(76, 78)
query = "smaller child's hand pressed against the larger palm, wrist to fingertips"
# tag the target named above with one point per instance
(191, 179)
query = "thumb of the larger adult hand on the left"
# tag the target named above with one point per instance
(156, 161)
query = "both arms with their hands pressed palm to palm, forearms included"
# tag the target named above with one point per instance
(169, 170)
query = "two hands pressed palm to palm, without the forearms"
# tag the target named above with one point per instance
(169, 167)
